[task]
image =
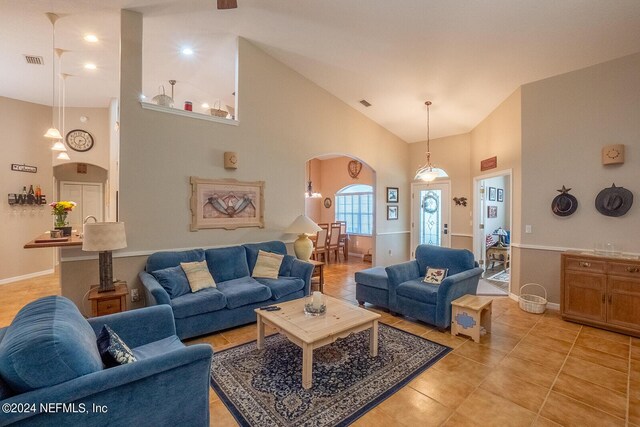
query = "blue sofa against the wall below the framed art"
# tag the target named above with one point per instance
(237, 294)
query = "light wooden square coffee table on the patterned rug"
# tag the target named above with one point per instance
(308, 332)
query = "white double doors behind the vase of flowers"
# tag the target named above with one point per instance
(88, 196)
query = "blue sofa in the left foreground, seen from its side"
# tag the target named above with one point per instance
(49, 355)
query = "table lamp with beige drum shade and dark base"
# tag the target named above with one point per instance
(104, 237)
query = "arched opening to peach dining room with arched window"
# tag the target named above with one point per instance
(331, 177)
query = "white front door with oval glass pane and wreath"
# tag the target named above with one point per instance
(430, 215)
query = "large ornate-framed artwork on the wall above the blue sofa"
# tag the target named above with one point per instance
(226, 203)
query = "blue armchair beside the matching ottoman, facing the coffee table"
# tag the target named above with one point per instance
(410, 296)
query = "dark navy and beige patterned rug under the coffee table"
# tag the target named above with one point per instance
(264, 387)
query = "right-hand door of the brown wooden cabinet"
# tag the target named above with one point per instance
(623, 302)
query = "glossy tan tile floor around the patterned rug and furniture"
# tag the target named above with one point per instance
(532, 370)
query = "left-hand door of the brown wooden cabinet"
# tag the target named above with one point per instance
(584, 295)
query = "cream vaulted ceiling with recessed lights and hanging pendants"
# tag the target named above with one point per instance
(465, 56)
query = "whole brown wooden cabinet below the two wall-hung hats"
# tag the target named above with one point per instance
(601, 291)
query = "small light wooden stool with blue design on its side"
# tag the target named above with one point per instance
(469, 313)
